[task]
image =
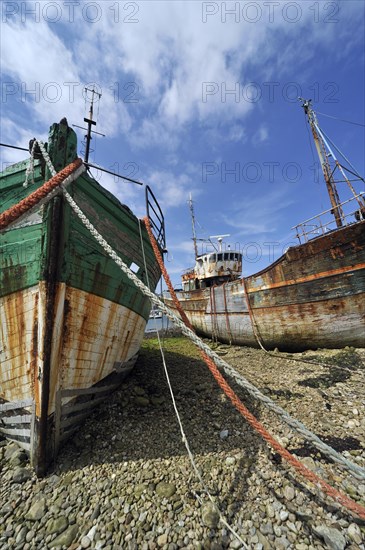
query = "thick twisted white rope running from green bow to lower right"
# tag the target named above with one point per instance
(356, 470)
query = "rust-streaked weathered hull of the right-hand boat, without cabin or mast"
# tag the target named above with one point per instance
(311, 297)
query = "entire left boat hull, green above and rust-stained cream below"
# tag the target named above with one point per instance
(71, 321)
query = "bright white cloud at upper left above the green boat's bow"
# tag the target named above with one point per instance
(49, 80)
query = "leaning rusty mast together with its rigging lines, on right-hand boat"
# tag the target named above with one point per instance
(325, 152)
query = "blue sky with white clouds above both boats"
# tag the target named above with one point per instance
(197, 97)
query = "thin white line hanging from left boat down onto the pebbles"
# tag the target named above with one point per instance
(182, 431)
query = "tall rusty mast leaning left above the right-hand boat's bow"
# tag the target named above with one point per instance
(324, 155)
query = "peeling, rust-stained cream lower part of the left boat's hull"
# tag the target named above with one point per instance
(92, 338)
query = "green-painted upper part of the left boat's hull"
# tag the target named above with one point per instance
(81, 262)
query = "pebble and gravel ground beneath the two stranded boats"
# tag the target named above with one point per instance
(125, 481)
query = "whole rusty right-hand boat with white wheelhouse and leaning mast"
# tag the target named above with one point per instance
(312, 296)
